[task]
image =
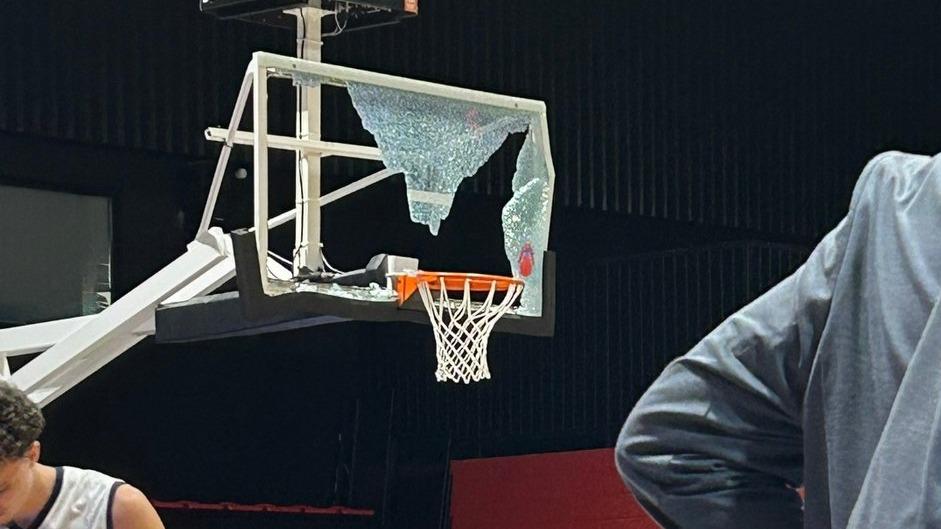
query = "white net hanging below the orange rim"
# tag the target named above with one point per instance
(462, 328)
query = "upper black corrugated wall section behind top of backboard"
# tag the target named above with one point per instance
(723, 113)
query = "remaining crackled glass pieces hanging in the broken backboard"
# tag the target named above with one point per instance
(438, 142)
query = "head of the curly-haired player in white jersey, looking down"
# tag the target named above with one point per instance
(21, 422)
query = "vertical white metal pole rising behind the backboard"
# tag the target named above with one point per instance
(307, 181)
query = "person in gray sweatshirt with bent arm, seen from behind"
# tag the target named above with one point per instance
(831, 381)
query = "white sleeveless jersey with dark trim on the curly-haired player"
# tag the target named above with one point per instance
(81, 499)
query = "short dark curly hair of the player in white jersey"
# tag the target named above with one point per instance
(21, 422)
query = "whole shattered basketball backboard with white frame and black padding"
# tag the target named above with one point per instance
(430, 135)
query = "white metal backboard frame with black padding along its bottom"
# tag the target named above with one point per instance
(261, 69)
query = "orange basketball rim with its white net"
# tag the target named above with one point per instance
(462, 326)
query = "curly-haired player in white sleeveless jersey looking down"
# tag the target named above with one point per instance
(37, 496)
